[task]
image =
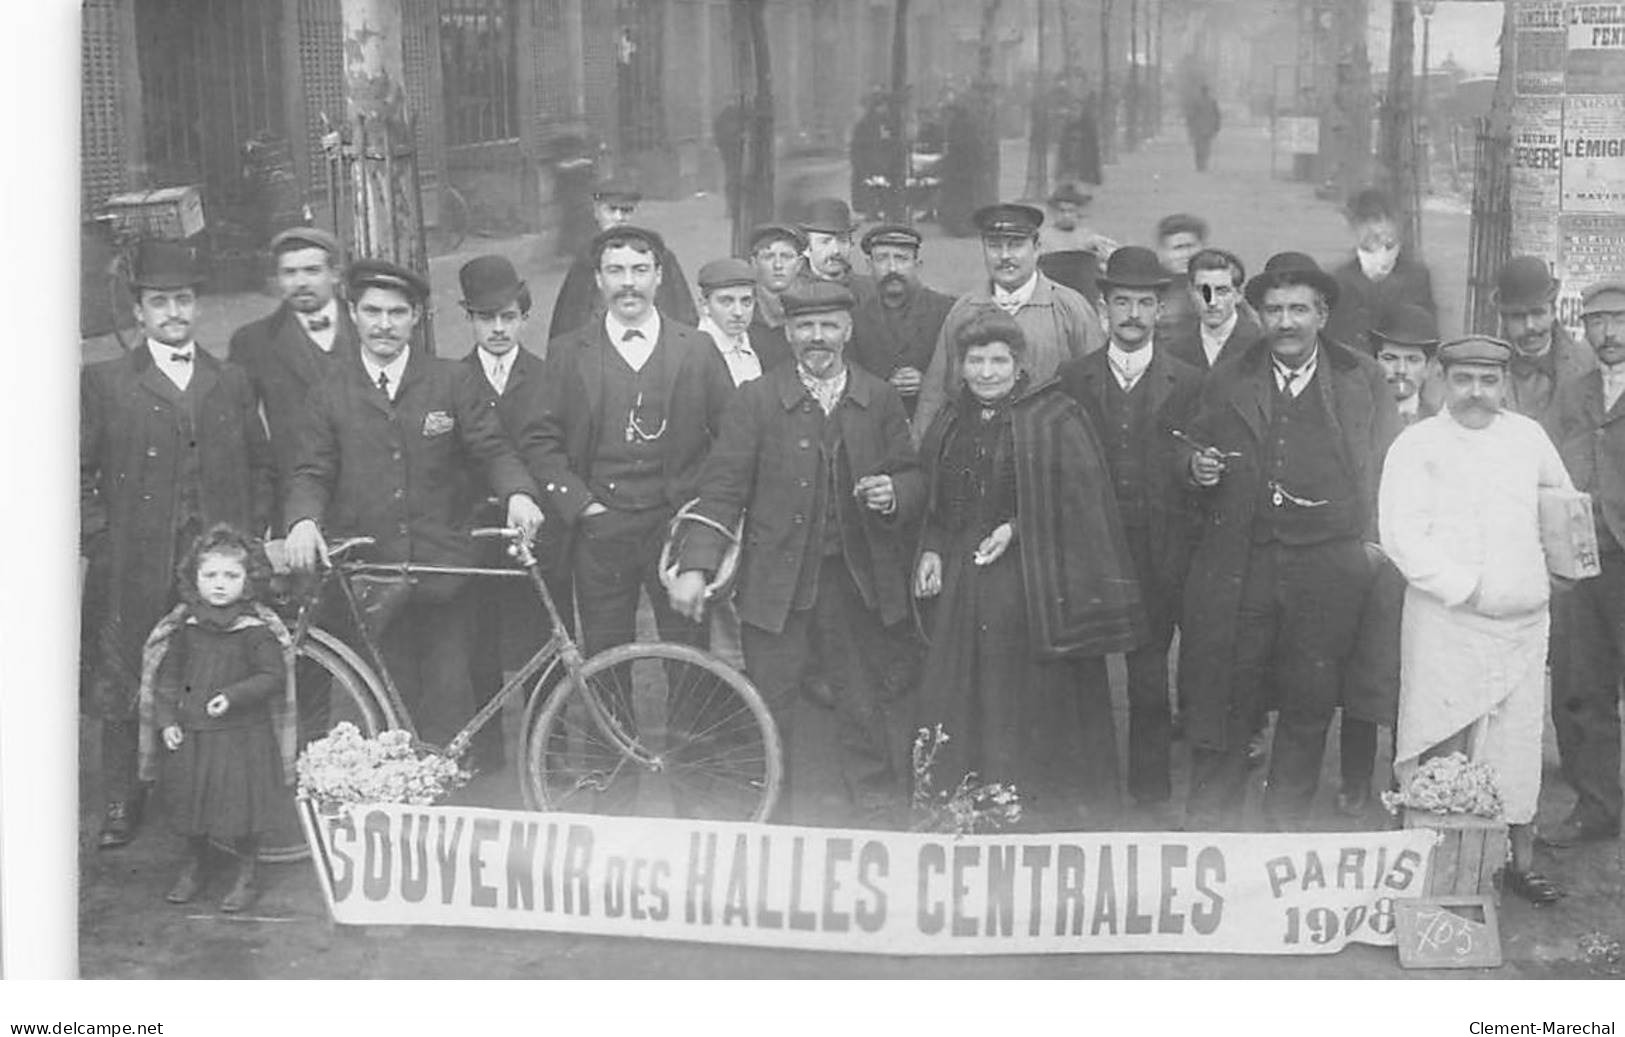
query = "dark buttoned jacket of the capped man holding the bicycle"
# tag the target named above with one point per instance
(410, 474)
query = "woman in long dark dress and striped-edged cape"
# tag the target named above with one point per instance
(1033, 589)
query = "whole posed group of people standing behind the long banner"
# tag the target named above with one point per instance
(953, 511)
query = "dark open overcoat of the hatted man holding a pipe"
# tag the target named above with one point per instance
(1234, 414)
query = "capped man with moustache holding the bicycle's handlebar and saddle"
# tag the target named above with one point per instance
(404, 448)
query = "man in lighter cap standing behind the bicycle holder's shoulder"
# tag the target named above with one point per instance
(300, 344)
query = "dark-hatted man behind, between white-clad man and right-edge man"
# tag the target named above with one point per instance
(1545, 357)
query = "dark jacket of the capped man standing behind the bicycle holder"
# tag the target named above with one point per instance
(284, 365)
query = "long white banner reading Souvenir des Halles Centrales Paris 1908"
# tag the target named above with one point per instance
(860, 892)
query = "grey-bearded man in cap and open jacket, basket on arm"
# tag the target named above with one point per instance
(818, 458)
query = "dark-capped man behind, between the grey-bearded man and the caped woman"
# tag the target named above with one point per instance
(896, 329)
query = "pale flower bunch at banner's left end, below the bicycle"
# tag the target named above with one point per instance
(347, 768)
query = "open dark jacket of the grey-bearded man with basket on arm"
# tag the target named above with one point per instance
(766, 467)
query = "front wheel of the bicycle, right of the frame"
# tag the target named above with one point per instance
(656, 731)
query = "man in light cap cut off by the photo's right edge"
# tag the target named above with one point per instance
(1588, 618)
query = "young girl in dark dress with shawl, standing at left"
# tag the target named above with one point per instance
(219, 698)
